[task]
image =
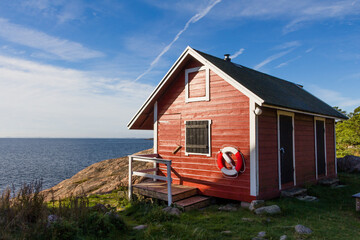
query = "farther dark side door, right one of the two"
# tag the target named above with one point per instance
(320, 147)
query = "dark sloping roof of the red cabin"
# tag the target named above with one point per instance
(274, 91)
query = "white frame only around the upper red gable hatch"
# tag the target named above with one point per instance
(207, 84)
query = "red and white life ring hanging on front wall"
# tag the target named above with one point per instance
(224, 155)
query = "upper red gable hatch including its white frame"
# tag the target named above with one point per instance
(197, 84)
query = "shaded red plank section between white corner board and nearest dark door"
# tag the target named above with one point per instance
(268, 154)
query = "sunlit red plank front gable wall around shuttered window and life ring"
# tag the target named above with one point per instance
(228, 109)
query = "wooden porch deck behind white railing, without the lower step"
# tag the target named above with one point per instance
(158, 190)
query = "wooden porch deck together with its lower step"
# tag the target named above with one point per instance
(184, 197)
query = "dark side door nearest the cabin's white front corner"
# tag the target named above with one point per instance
(286, 149)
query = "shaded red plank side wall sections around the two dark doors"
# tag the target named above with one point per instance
(304, 151)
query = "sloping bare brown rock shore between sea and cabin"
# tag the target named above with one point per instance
(98, 178)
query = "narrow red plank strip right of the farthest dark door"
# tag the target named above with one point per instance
(330, 148)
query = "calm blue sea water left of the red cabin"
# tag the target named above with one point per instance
(23, 160)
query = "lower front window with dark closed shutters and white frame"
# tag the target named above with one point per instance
(197, 137)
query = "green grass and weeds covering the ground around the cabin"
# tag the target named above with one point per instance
(332, 217)
